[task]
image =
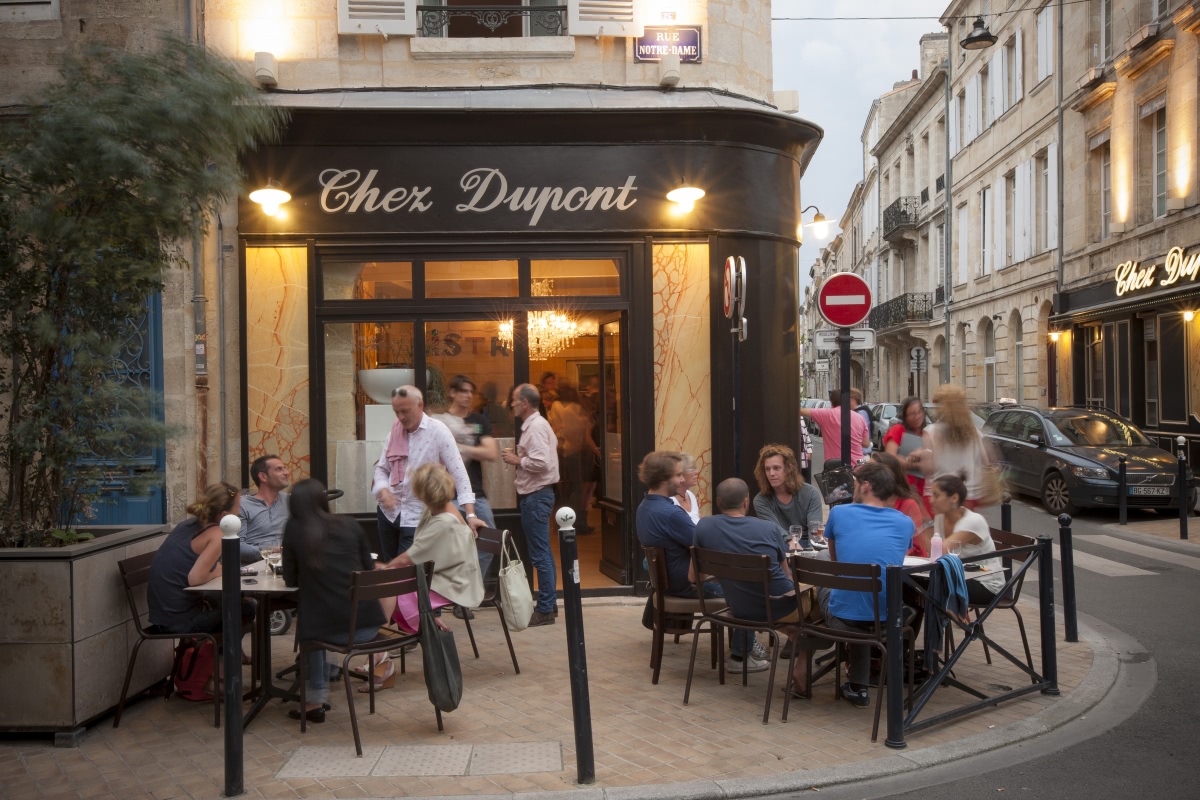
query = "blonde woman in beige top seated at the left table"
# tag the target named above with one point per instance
(443, 538)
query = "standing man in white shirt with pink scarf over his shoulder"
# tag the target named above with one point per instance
(416, 440)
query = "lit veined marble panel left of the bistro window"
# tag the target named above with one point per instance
(278, 356)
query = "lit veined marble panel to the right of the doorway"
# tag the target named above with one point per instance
(683, 414)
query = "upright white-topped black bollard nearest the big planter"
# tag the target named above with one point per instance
(231, 663)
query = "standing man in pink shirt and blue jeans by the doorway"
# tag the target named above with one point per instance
(537, 473)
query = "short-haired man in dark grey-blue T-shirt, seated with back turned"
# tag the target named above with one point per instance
(733, 532)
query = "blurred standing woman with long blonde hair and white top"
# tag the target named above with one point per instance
(953, 446)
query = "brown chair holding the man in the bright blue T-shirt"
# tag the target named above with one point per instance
(845, 576)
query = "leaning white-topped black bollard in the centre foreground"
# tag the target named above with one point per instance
(577, 654)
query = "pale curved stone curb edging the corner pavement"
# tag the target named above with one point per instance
(1112, 651)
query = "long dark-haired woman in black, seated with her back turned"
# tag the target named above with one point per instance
(321, 550)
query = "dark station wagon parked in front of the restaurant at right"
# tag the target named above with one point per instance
(1070, 458)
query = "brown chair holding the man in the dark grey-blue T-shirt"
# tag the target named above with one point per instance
(747, 569)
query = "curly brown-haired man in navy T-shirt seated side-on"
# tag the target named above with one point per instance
(662, 524)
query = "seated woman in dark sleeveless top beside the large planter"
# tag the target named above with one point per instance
(190, 557)
